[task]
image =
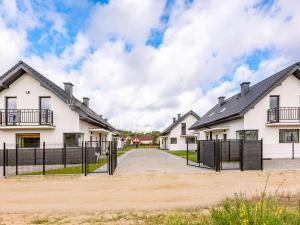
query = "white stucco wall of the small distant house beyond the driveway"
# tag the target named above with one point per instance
(176, 133)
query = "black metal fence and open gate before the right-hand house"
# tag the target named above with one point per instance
(227, 155)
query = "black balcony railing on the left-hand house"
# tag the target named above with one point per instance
(26, 117)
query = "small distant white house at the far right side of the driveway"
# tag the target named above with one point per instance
(176, 136)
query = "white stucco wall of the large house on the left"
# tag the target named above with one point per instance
(28, 90)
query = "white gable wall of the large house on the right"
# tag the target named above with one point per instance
(256, 118)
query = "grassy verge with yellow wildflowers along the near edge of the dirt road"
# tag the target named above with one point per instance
(263, 210)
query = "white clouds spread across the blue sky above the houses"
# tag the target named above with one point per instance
(144, 89)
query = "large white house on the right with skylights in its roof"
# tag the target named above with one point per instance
(268, 110)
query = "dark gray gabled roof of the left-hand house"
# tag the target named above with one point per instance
(85, 112)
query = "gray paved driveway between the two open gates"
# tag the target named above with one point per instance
(139, 161)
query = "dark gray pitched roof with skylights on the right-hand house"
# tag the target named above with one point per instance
(237, 105)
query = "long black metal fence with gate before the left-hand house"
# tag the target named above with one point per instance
(88, 158)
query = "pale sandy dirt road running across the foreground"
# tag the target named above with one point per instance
(148, 191)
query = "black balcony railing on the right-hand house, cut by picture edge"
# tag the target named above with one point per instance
(284, 115)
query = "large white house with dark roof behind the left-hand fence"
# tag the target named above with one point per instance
(34, 110)
